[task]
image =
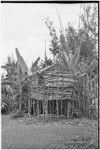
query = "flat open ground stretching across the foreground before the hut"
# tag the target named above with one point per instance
(28, 133)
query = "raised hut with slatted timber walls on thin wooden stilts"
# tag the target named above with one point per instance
(52, 91)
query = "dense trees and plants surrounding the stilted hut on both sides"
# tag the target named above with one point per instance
(75, 49)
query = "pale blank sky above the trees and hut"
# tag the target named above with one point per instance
(22, 26)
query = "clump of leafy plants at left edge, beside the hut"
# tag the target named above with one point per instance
(11, 84)
